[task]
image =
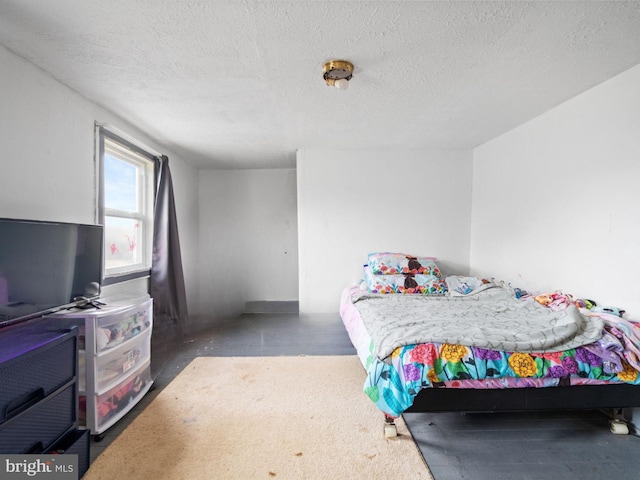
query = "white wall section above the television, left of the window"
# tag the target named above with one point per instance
(46, 133)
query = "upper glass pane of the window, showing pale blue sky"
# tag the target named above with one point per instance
(120, 184)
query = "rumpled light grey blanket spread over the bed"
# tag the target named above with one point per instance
(491, 319)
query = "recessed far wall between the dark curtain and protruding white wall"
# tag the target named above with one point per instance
(248, 240)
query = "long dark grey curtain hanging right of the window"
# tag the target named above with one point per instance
(167, 278)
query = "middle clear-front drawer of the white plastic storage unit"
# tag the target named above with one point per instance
(116, 363)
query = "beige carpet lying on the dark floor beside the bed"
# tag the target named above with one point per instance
(249, 418)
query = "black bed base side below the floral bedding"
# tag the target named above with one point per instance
(579, 397)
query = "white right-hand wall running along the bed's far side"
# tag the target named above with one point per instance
(555, 201)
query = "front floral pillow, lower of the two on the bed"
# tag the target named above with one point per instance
(408, 283)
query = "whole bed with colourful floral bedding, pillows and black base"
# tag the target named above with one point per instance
(437, 344)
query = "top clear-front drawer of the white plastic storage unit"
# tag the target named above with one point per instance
(116, 328)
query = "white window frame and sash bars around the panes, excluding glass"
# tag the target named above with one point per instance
(139, 155)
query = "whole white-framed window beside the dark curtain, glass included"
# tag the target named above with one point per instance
(125, 206)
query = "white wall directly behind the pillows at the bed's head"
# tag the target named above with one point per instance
(351, 203)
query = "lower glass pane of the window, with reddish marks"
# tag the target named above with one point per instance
(123, 242)
